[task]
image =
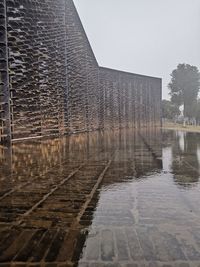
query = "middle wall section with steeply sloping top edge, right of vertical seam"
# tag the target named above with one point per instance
(82, 69)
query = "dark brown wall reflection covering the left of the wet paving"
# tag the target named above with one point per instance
(50, 188)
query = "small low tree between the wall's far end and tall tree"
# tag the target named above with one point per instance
(169, 110)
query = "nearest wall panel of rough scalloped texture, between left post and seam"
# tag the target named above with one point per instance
(37, 68)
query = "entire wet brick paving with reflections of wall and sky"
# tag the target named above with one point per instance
(123, 198)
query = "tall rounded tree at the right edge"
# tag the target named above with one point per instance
(184, 88)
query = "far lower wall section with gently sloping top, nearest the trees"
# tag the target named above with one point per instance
(129, 100)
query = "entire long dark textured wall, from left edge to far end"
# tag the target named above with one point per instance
(50, 81)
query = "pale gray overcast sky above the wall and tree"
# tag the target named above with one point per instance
(143, 36)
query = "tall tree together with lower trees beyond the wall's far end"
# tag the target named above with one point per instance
(184, 89)
